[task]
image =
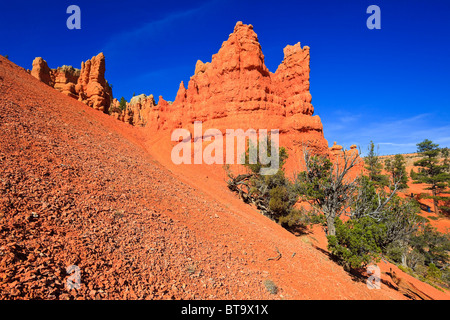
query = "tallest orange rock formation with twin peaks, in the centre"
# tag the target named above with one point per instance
(236, 90)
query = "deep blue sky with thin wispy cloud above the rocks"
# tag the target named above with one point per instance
(391, 86)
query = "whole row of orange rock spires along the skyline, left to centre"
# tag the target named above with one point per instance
(233, 91)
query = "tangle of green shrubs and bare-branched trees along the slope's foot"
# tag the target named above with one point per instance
(380, 223)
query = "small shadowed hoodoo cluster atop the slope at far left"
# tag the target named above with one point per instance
(87, 85)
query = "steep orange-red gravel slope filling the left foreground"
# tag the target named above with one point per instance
(79, 187)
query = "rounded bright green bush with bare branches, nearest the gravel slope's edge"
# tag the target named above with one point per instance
(377, 219)
